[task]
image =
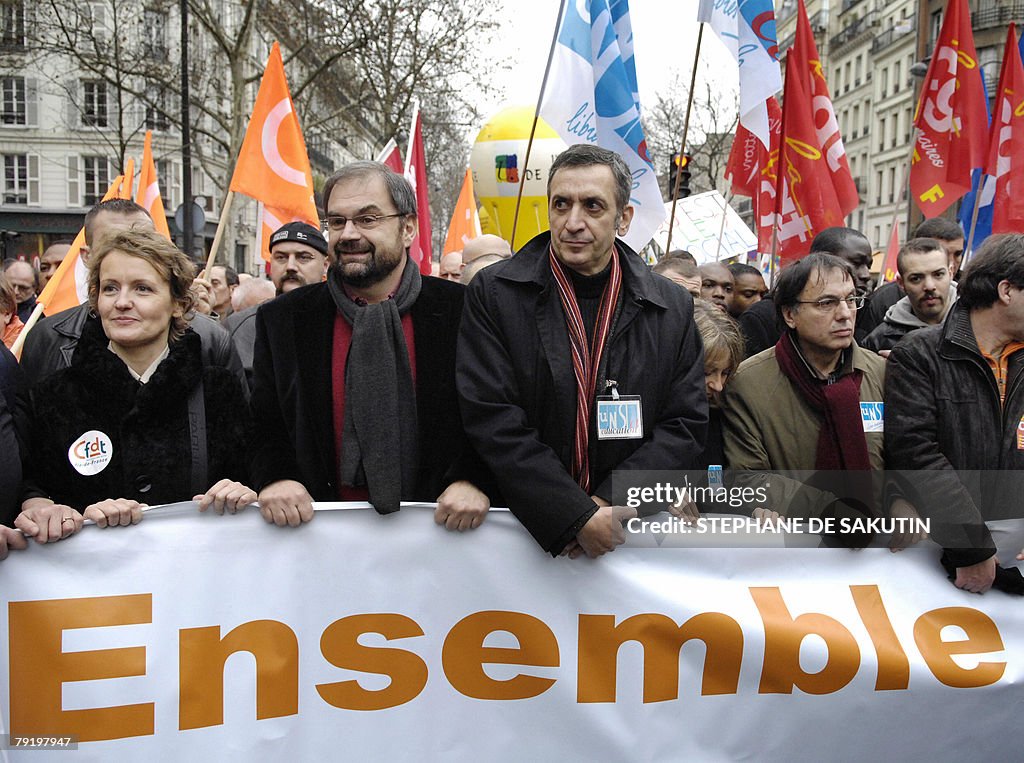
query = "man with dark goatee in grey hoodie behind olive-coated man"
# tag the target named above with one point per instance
(924, 273)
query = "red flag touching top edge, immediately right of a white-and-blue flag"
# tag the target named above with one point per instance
(830, 142)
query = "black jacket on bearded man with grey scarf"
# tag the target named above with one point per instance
(292, 393)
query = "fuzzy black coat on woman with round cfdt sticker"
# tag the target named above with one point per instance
(148, 426)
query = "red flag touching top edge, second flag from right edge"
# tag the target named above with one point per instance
(952, 122)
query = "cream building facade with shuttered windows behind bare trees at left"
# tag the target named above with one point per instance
(81, 83)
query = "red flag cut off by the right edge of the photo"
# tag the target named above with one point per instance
(1006, 150)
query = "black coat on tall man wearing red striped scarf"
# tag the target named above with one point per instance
(518, 388)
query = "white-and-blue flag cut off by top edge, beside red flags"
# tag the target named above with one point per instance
(748, 29)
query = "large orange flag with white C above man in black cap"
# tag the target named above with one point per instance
(274, 166)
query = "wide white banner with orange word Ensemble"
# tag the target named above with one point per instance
(386, 638)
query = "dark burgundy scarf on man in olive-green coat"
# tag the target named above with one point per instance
(841, 443)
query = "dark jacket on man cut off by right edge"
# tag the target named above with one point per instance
(946, 430)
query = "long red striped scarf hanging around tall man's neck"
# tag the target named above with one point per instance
(586, 360)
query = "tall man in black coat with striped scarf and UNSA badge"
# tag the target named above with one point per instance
(567, 336)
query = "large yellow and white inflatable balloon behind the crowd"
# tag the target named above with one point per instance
(497, 162)
